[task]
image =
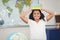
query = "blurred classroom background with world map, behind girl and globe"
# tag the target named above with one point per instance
(10, 21)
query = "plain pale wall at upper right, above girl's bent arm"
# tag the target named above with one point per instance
(52, 4)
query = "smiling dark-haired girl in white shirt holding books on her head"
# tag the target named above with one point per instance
(37, 22)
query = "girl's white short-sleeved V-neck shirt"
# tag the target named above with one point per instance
(38, 30)
